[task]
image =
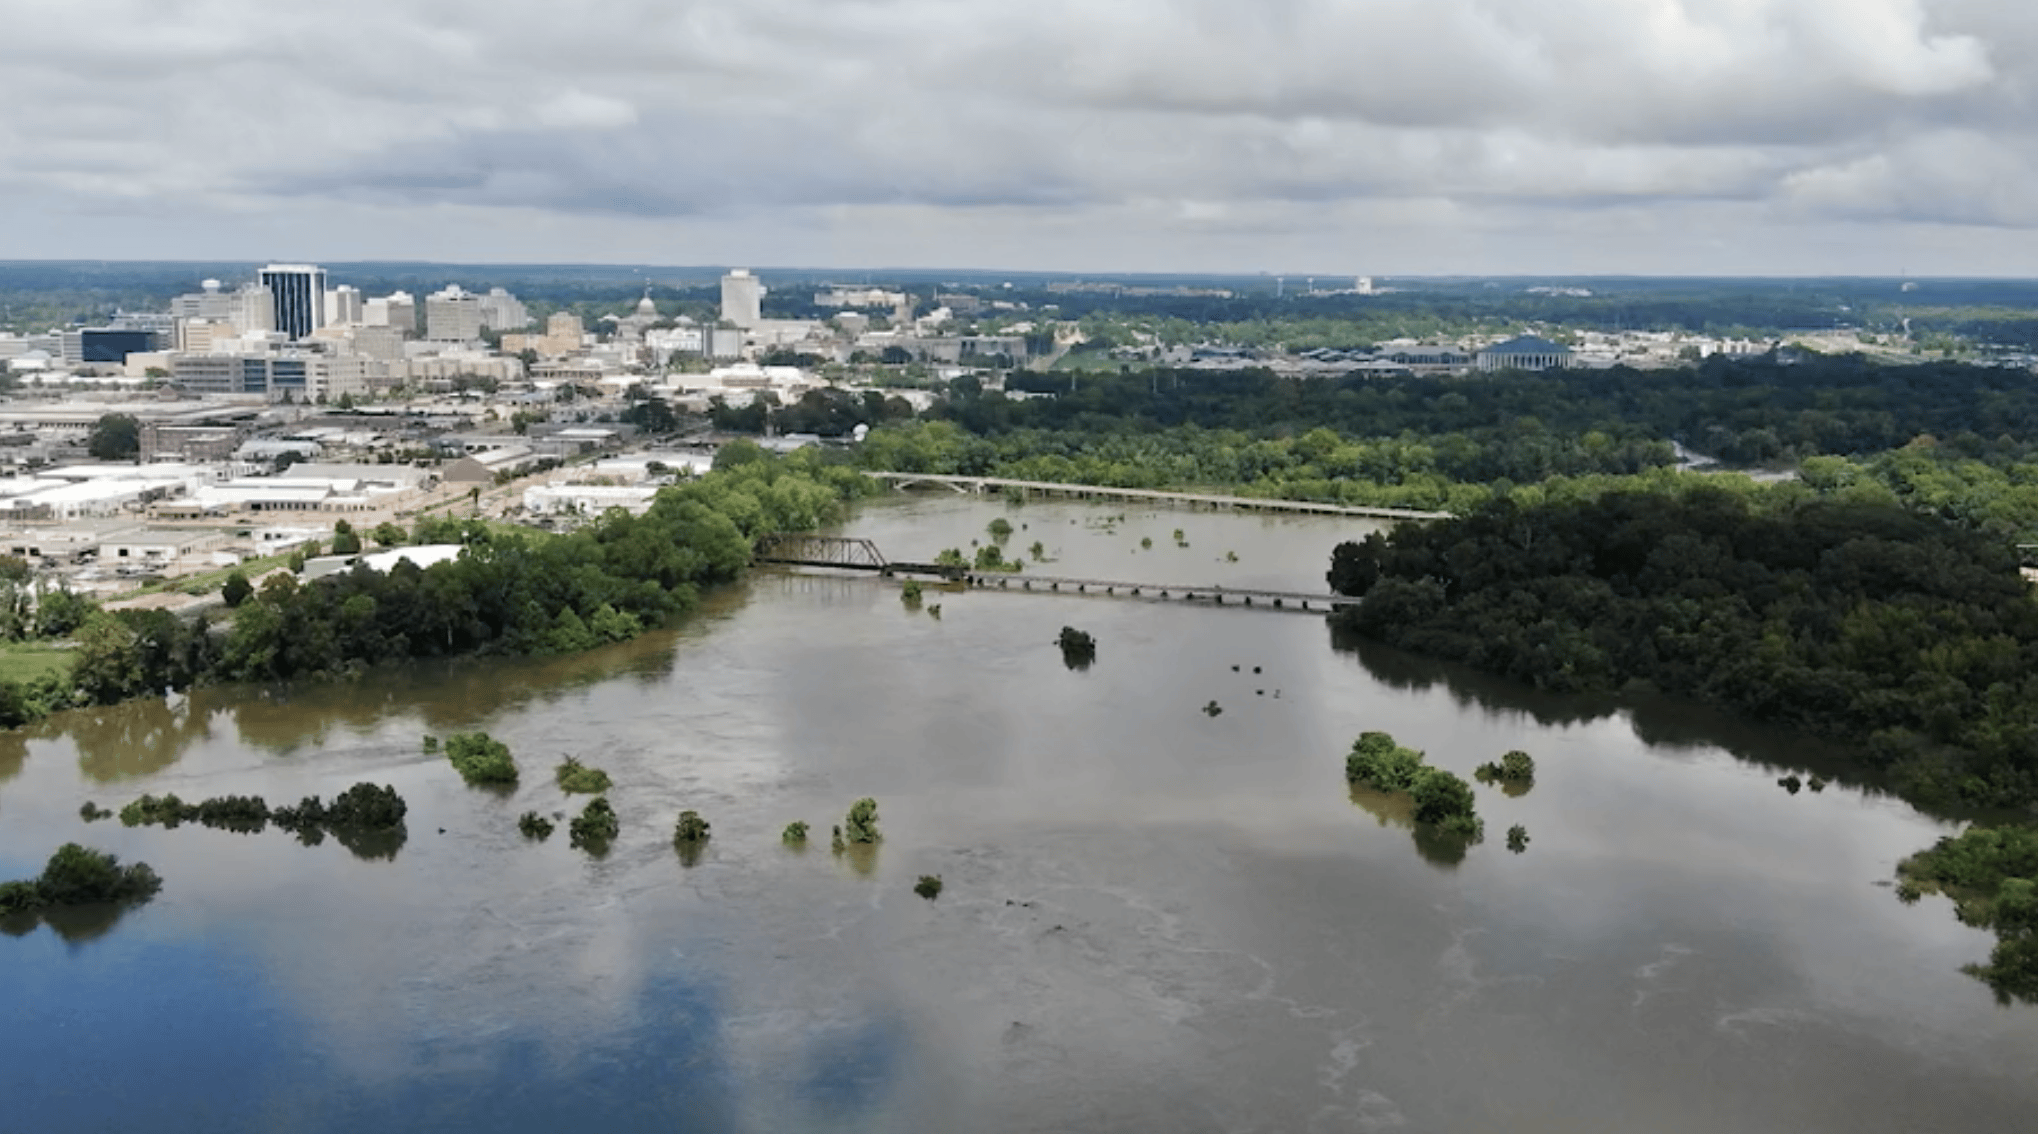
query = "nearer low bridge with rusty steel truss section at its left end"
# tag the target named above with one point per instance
(847, 554)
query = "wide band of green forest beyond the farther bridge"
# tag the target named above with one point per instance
(1943, 440)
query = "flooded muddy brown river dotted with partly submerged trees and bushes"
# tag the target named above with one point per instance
(1152, 919)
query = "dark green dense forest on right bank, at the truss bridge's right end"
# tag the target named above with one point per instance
(1911, 637)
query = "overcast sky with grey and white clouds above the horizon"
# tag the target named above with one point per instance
(1087, 136)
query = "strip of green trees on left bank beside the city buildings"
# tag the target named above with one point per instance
(515, 595)
